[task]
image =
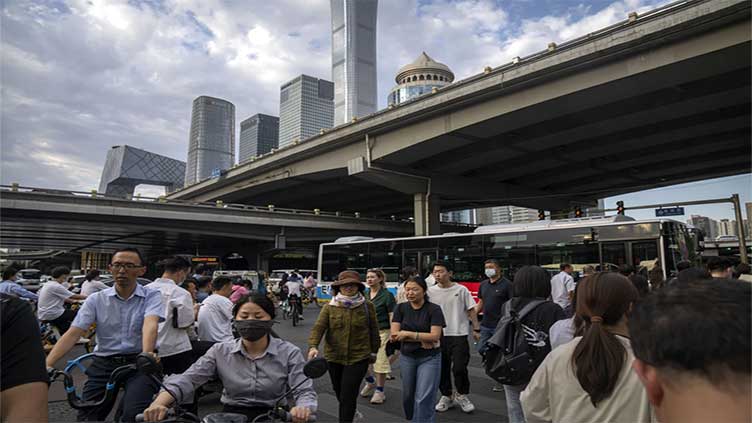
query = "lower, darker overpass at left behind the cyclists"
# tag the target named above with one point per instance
(41, 219)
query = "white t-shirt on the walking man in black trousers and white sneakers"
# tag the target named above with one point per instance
(454, 301)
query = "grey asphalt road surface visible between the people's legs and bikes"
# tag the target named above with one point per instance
(490, 406)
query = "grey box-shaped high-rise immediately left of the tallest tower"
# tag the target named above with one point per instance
(306, 106)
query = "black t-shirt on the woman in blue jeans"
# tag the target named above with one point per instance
(420, 320)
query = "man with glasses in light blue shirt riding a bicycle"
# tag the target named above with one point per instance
(127, 316)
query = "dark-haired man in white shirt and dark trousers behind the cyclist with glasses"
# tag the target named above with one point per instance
(175, 351)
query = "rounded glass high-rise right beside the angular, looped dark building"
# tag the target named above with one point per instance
(211, 146)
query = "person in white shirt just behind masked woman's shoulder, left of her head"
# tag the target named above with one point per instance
(215, 314)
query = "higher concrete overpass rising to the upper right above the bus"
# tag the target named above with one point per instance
(658, 99)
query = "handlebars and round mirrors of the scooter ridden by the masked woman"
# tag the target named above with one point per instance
(313, 369)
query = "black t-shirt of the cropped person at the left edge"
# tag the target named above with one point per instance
(22, 358)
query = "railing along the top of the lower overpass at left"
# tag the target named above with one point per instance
(270, 208)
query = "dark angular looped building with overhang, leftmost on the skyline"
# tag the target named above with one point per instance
(127, 167)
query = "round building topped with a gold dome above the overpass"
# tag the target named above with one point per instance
(418, 78)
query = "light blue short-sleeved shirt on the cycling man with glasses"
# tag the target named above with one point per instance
(119, 321)
